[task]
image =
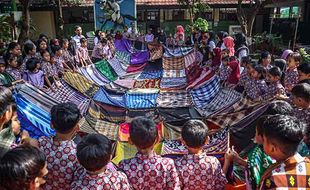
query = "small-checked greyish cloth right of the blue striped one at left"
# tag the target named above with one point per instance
(65, 93)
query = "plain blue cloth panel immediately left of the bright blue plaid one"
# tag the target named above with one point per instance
(111, 98)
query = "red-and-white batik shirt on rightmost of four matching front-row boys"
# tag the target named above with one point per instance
(199, 171)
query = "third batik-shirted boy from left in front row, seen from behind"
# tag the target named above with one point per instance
(148, 170)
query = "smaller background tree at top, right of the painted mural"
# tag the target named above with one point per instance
(194, 6)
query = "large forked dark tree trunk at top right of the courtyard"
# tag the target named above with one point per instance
(246, 15)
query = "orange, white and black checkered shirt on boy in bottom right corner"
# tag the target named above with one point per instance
(294, 173)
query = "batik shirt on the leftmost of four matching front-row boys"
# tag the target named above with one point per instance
(62, 163)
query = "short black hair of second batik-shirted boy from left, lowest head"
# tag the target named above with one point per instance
(94, 152)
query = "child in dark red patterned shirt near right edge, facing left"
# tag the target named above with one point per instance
(291, 74)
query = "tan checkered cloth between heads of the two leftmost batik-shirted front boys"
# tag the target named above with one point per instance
(92, 125)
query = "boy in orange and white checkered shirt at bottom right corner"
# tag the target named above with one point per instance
(281, 136)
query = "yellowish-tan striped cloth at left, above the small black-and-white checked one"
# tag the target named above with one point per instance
(81, 83)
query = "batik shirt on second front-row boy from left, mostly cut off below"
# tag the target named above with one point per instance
(106, 180)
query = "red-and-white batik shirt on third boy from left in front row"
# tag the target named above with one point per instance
(151, 172)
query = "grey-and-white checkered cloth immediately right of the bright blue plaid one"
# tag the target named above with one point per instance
(174, 99)
